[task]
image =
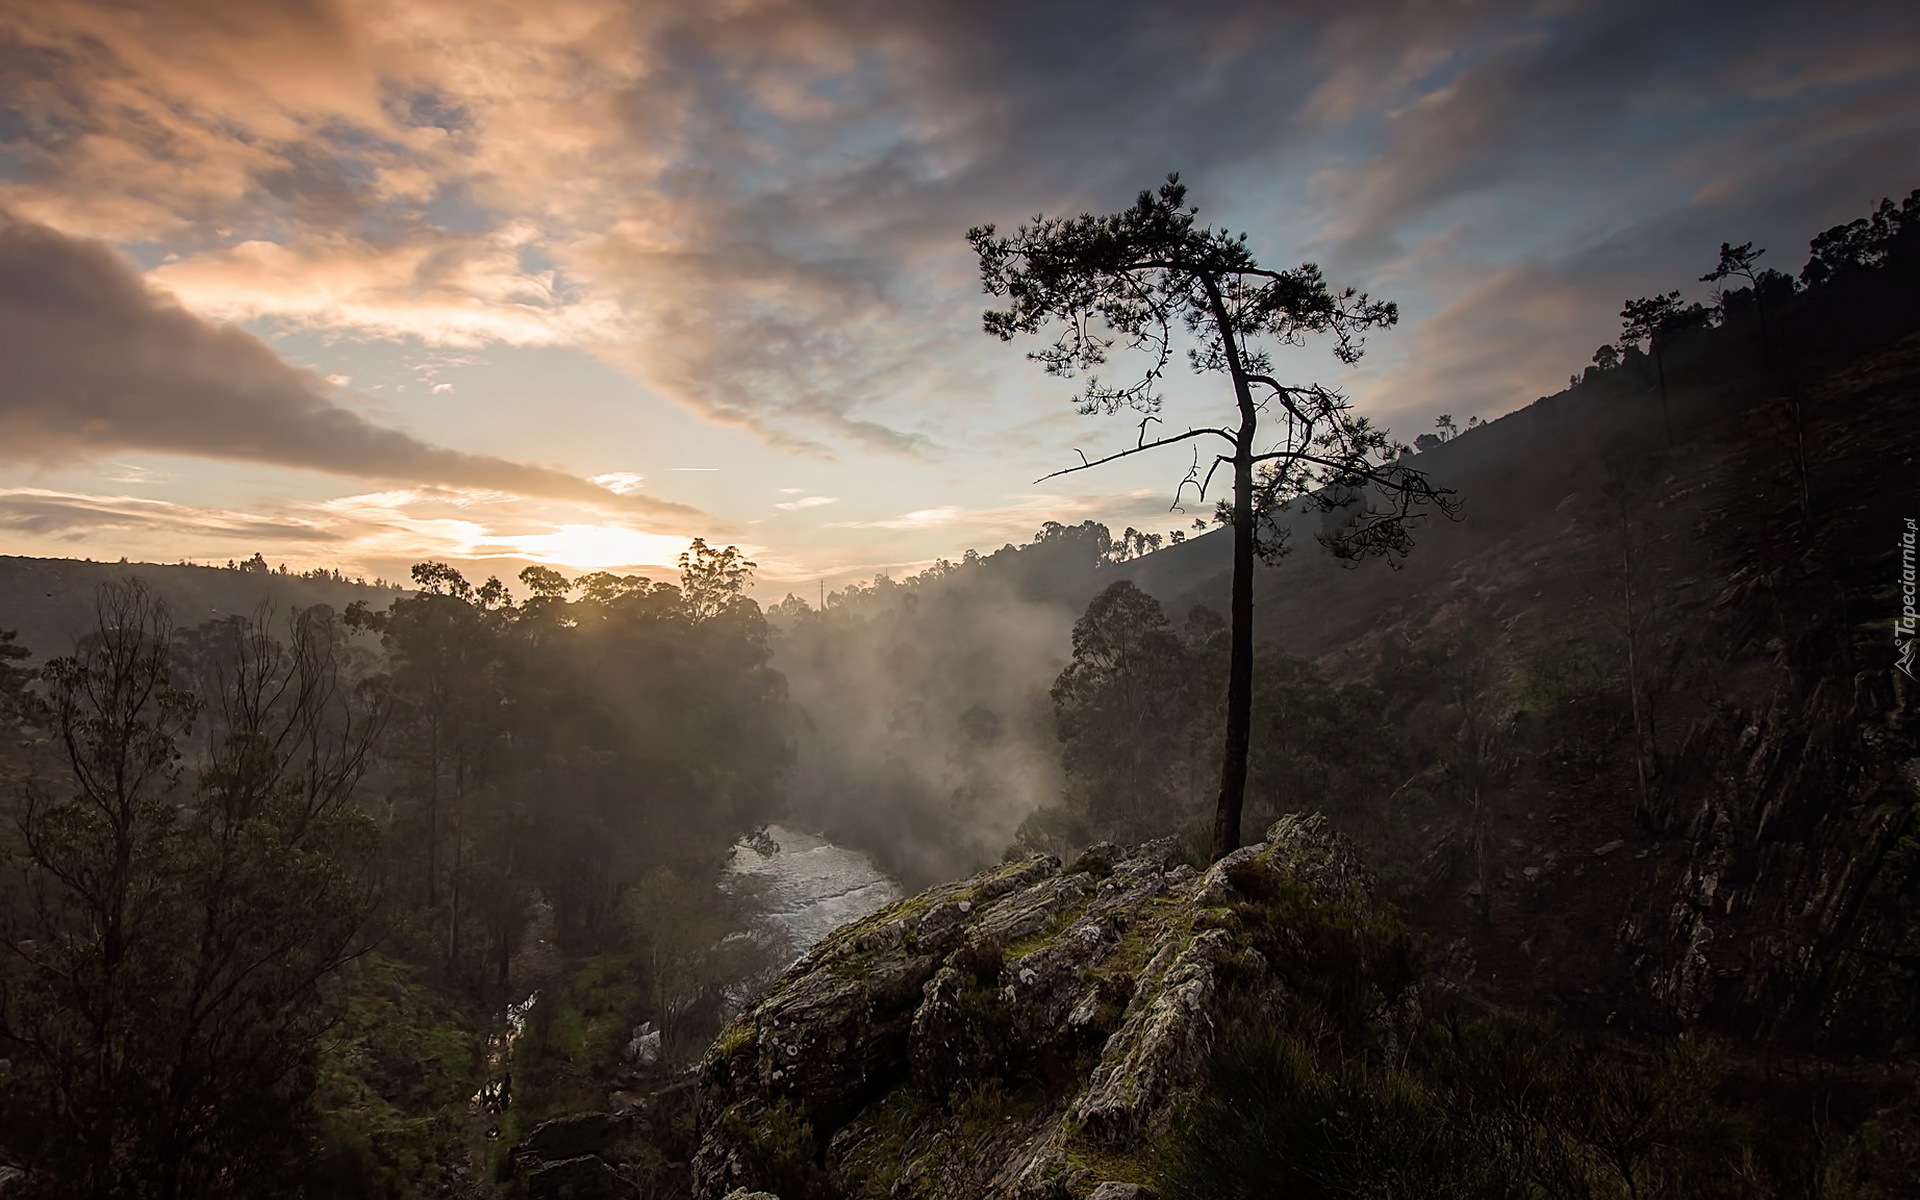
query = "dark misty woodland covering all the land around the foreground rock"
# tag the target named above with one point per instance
(1625, 744)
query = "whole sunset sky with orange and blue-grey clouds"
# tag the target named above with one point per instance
(575, 281)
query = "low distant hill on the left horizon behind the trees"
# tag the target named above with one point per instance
(51, 602)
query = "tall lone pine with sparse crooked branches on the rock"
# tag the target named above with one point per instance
(1155, 283)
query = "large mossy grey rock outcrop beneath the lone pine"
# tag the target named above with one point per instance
(1022, 1034)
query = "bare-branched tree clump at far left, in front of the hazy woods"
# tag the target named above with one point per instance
(160, 984)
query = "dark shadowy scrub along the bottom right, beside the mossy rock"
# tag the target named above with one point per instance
(1491, 1109)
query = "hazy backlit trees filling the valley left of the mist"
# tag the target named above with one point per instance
(212, 823)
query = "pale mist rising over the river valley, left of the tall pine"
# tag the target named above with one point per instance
(924, 734)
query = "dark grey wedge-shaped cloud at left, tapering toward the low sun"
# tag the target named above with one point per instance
(99, 362)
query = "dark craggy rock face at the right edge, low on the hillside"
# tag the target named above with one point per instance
(1783, 909)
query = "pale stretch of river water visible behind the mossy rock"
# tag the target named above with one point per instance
(811, 888)
